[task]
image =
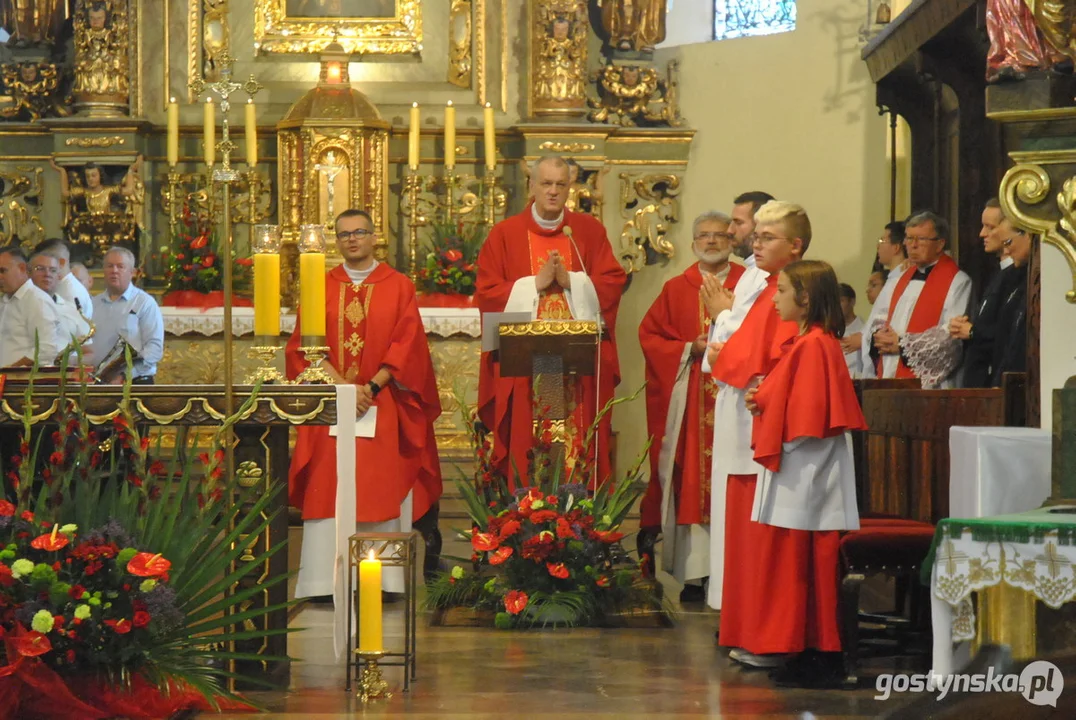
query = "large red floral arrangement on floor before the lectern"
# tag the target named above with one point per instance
(548, 553)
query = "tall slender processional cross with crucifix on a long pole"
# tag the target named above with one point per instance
(224, 176)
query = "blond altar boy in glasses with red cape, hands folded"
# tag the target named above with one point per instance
(782, 237)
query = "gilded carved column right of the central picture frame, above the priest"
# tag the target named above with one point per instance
(559, 32)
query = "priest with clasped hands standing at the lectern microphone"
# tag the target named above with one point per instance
(556, 265)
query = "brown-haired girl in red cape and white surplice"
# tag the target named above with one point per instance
(805, 411)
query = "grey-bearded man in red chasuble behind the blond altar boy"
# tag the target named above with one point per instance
(681, 408)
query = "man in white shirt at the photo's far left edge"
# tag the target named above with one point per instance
(27, 315)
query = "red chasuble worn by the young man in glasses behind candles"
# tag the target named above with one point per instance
(369, 327)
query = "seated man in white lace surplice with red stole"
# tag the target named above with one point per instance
(915, 341)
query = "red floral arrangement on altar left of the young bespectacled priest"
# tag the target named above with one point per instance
(194, 261)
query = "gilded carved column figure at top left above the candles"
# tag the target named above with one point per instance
(102, 67)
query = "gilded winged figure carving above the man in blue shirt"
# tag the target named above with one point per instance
(90, 218)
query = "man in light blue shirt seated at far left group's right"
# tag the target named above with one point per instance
(125, 313)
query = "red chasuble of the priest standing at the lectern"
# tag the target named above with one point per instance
(516, 249)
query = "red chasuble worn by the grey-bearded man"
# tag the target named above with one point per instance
(677, 318)
